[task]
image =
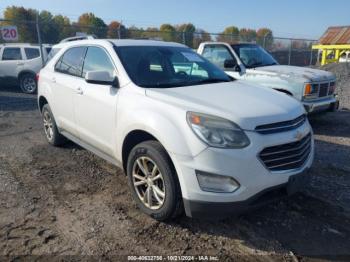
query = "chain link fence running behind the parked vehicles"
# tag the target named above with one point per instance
(287, 51)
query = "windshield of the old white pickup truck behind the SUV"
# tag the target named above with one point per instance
(253, 55)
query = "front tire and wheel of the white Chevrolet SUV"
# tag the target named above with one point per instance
(150, 153)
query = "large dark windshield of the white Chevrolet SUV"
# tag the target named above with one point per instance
(166, 66)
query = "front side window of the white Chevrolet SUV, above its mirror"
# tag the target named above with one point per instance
(97, 60)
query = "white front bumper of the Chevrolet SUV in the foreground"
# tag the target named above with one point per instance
(243, 165)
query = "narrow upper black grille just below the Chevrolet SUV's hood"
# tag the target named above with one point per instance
(281, 126)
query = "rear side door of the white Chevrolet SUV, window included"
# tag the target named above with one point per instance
(66, 81)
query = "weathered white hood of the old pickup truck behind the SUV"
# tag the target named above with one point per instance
(297, 73)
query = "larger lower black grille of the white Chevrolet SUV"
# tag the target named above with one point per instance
(287, 156)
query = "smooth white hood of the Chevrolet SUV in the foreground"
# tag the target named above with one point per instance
(246, 105)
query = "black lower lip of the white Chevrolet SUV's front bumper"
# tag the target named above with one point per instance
(220, 210)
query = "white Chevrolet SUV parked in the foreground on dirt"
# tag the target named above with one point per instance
(186, 134)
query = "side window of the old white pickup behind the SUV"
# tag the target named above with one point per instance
(217, 54)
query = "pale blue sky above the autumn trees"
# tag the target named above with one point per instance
(287, 18)
